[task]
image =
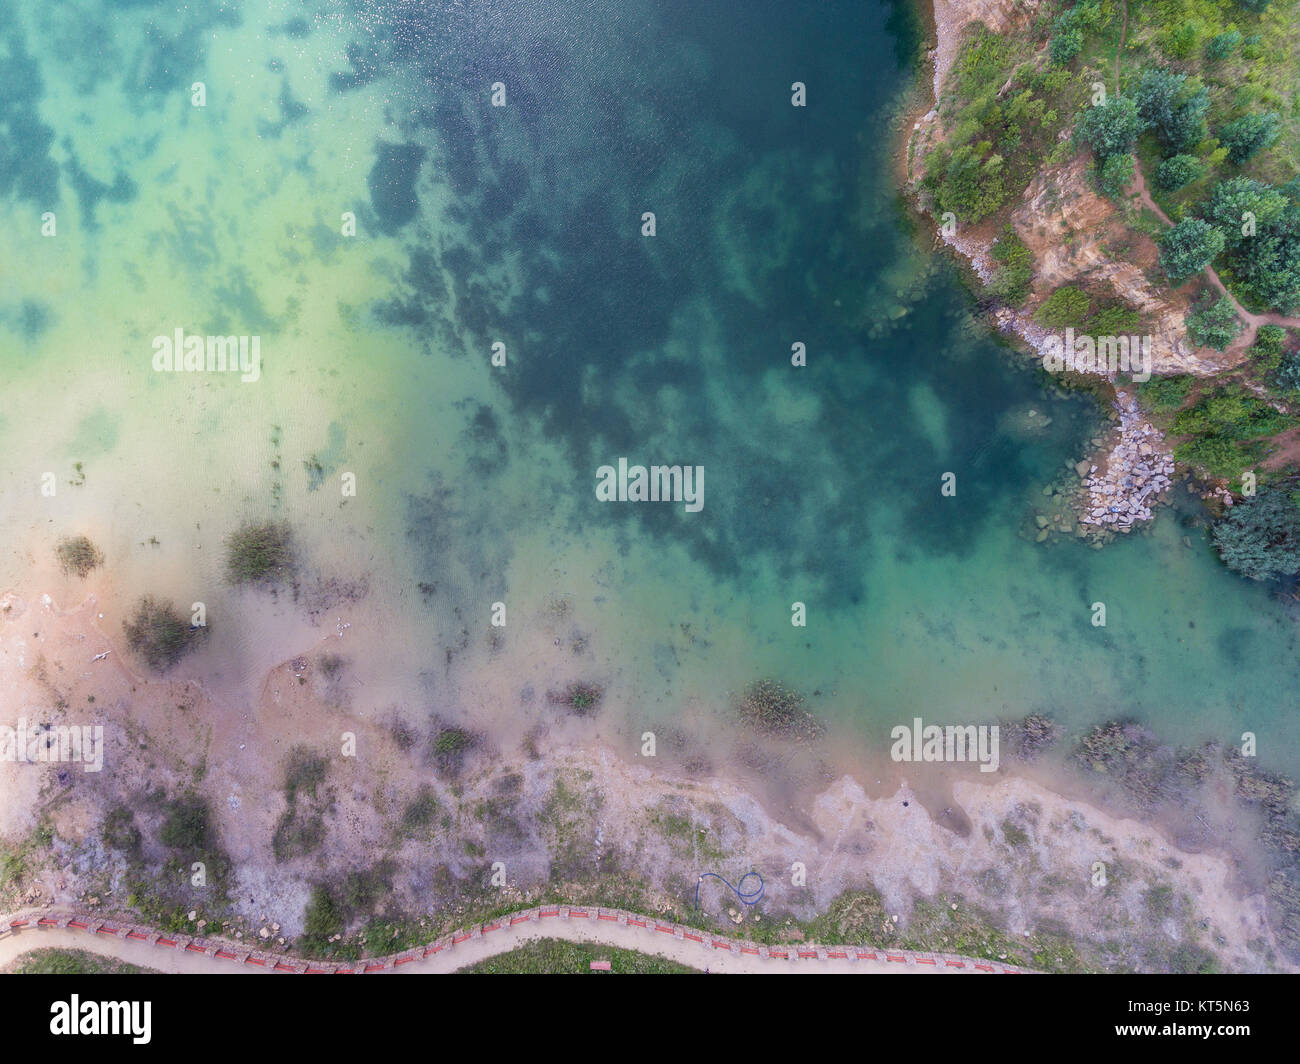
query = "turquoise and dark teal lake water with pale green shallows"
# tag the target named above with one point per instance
(523, 226)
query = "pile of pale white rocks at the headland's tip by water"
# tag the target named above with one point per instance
(1138, 473)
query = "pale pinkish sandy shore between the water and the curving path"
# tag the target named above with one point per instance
(1012, 847)
